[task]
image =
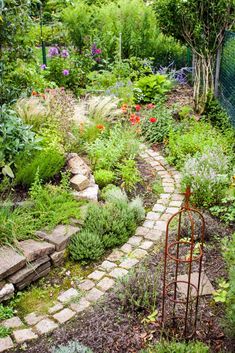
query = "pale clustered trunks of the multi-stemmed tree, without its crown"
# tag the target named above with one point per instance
(203, 80)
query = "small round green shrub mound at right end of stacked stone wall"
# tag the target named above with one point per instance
(86, 246)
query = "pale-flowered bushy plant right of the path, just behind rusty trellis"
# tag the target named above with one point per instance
(207, 174)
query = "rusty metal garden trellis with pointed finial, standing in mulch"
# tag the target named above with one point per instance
(171, 287)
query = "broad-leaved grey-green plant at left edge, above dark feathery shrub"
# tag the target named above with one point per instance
(15, 137)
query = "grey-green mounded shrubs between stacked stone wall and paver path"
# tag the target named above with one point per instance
(107, 225)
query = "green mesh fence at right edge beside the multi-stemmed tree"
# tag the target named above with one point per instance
(227, 76)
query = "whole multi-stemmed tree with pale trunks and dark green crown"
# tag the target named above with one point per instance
(201, 24)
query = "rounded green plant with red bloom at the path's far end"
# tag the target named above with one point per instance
(156, 127)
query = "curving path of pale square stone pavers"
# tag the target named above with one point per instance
(116, 265)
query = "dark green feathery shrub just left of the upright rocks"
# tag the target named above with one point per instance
(47, 162)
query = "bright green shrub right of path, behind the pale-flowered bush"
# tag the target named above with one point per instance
(191, 137)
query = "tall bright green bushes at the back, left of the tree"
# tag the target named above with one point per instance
(103, 24)
